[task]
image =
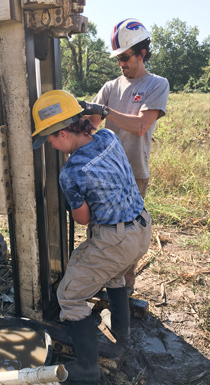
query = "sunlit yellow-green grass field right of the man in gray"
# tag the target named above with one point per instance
(179, 190)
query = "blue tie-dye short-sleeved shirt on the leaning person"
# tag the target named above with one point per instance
(100, 174)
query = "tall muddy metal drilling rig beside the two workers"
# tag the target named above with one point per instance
(30, 33)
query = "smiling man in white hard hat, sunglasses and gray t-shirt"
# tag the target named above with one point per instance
(132, 103)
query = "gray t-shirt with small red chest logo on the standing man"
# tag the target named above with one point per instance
(130, 96)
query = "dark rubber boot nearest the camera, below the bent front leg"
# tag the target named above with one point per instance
(85, 368)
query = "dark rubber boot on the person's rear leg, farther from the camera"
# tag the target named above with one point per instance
(119, 320)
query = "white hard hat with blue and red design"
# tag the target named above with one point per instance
(126, 34)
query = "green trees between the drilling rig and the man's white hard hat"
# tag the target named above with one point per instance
(85, 63)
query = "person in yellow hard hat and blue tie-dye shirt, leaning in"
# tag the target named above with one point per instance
(100, 188)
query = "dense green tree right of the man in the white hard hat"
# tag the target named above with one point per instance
(177, 54)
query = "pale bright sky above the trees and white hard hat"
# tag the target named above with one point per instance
(106, 13)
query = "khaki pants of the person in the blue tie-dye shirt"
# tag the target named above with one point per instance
(101, 261)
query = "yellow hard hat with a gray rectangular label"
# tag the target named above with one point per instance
(55, 108)
